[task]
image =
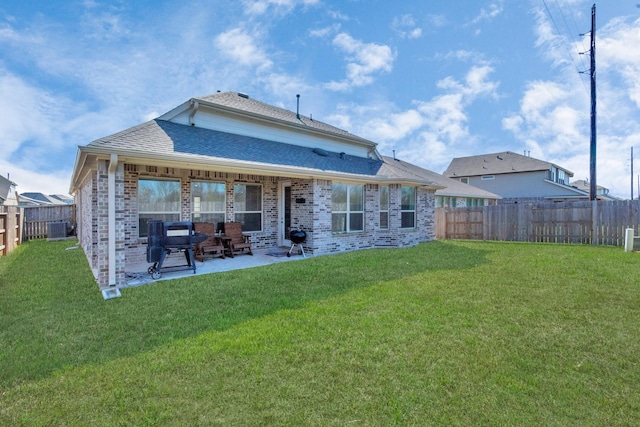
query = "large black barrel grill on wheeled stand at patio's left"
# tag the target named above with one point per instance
(166, 237)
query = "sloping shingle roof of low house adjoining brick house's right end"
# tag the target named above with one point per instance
(451, 187)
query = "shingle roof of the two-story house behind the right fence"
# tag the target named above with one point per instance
(495, 164)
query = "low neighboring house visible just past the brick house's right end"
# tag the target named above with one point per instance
(454, 194)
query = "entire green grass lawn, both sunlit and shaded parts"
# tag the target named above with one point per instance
(445, 333)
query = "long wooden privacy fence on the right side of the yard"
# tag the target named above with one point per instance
(601, 222)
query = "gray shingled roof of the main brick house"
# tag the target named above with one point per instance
(168, 141)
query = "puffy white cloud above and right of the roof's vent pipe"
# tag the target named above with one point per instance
(365, 60)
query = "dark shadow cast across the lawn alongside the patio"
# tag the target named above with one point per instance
(53, 316)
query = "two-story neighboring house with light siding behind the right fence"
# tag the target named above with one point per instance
(515, 177)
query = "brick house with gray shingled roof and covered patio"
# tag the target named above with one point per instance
(227, 157)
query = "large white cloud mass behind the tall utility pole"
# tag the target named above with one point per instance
(554, 116)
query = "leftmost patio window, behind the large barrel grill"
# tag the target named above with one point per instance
(157, 199)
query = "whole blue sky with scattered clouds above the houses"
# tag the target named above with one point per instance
(432, 80)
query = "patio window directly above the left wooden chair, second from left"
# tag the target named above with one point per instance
(208, 202)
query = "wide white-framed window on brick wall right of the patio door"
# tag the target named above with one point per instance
(347, 208)
